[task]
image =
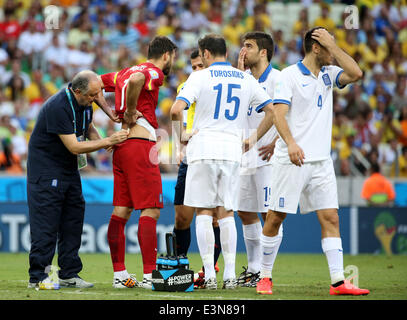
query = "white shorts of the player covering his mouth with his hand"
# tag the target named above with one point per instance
(254, 189)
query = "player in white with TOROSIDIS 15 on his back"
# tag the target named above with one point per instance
(222, 95)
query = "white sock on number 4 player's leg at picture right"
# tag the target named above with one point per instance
(332, 247)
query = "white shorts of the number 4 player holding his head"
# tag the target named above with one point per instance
(312, 186)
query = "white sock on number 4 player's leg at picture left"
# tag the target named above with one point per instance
(269, 248)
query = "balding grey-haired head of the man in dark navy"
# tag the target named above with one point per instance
(86, 87)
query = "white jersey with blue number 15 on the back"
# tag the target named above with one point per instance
(223, 95)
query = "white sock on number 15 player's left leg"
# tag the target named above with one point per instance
(206, 243)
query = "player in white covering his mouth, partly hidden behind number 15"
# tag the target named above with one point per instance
(254, 179)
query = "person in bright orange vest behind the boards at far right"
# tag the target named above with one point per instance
(377, 190)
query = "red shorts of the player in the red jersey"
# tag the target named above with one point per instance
(137, 178)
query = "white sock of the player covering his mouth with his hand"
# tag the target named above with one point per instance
(251, 235)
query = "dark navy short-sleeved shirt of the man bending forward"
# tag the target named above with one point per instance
(47, 155)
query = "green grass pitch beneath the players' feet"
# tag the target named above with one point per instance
(295, 277)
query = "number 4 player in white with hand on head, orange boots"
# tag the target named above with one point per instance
(303, 171)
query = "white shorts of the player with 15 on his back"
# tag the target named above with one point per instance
(212, 183)
